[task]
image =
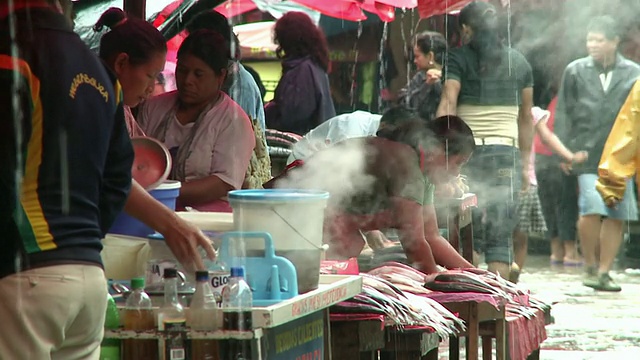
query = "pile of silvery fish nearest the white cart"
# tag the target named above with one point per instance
(400, 308)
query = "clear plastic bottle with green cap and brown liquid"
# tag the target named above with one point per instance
(138, 316)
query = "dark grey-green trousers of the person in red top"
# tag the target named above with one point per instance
(558, 194)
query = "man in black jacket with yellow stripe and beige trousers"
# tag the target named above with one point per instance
(65, 173)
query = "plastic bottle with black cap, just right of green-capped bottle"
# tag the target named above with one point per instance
(172, 320)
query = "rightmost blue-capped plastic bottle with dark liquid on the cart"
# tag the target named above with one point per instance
(237, 302)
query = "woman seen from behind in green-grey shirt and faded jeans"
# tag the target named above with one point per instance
(490, 86)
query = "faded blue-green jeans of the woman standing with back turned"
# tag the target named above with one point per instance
(494, 174)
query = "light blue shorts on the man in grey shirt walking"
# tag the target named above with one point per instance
(591, 203)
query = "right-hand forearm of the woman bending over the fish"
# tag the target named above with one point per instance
(443, 253)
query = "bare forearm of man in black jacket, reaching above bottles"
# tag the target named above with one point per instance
(182, 237)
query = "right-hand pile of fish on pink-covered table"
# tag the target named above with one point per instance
(517, 301)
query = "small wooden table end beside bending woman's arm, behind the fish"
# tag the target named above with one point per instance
(456, 213)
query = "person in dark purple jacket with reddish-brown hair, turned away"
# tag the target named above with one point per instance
(302, 98)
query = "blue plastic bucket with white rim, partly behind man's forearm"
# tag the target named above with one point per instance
(167, 193)
